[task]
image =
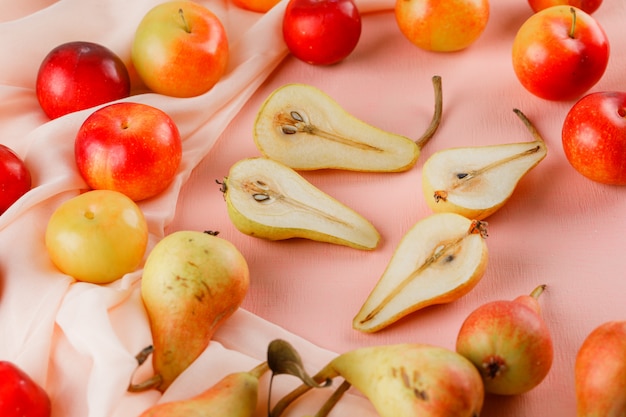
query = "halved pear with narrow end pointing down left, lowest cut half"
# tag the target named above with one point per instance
(440, 259)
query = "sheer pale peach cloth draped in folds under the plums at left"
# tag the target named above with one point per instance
(79, 340)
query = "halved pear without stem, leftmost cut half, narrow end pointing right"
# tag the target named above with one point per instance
(269, 200)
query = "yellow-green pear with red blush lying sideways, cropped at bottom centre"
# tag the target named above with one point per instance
(403, 380)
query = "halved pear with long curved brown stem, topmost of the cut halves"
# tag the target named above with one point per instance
(305, 129)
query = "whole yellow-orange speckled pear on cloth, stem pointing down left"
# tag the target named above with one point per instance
(192, 282)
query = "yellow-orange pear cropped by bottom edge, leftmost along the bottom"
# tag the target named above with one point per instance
(236, 395)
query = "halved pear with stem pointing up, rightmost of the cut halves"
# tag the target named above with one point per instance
(477, 181)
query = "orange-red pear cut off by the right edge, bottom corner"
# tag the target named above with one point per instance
(600, 372)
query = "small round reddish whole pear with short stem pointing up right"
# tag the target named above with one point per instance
(509, 343)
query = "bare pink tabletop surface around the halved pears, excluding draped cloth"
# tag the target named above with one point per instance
(558, 228)
